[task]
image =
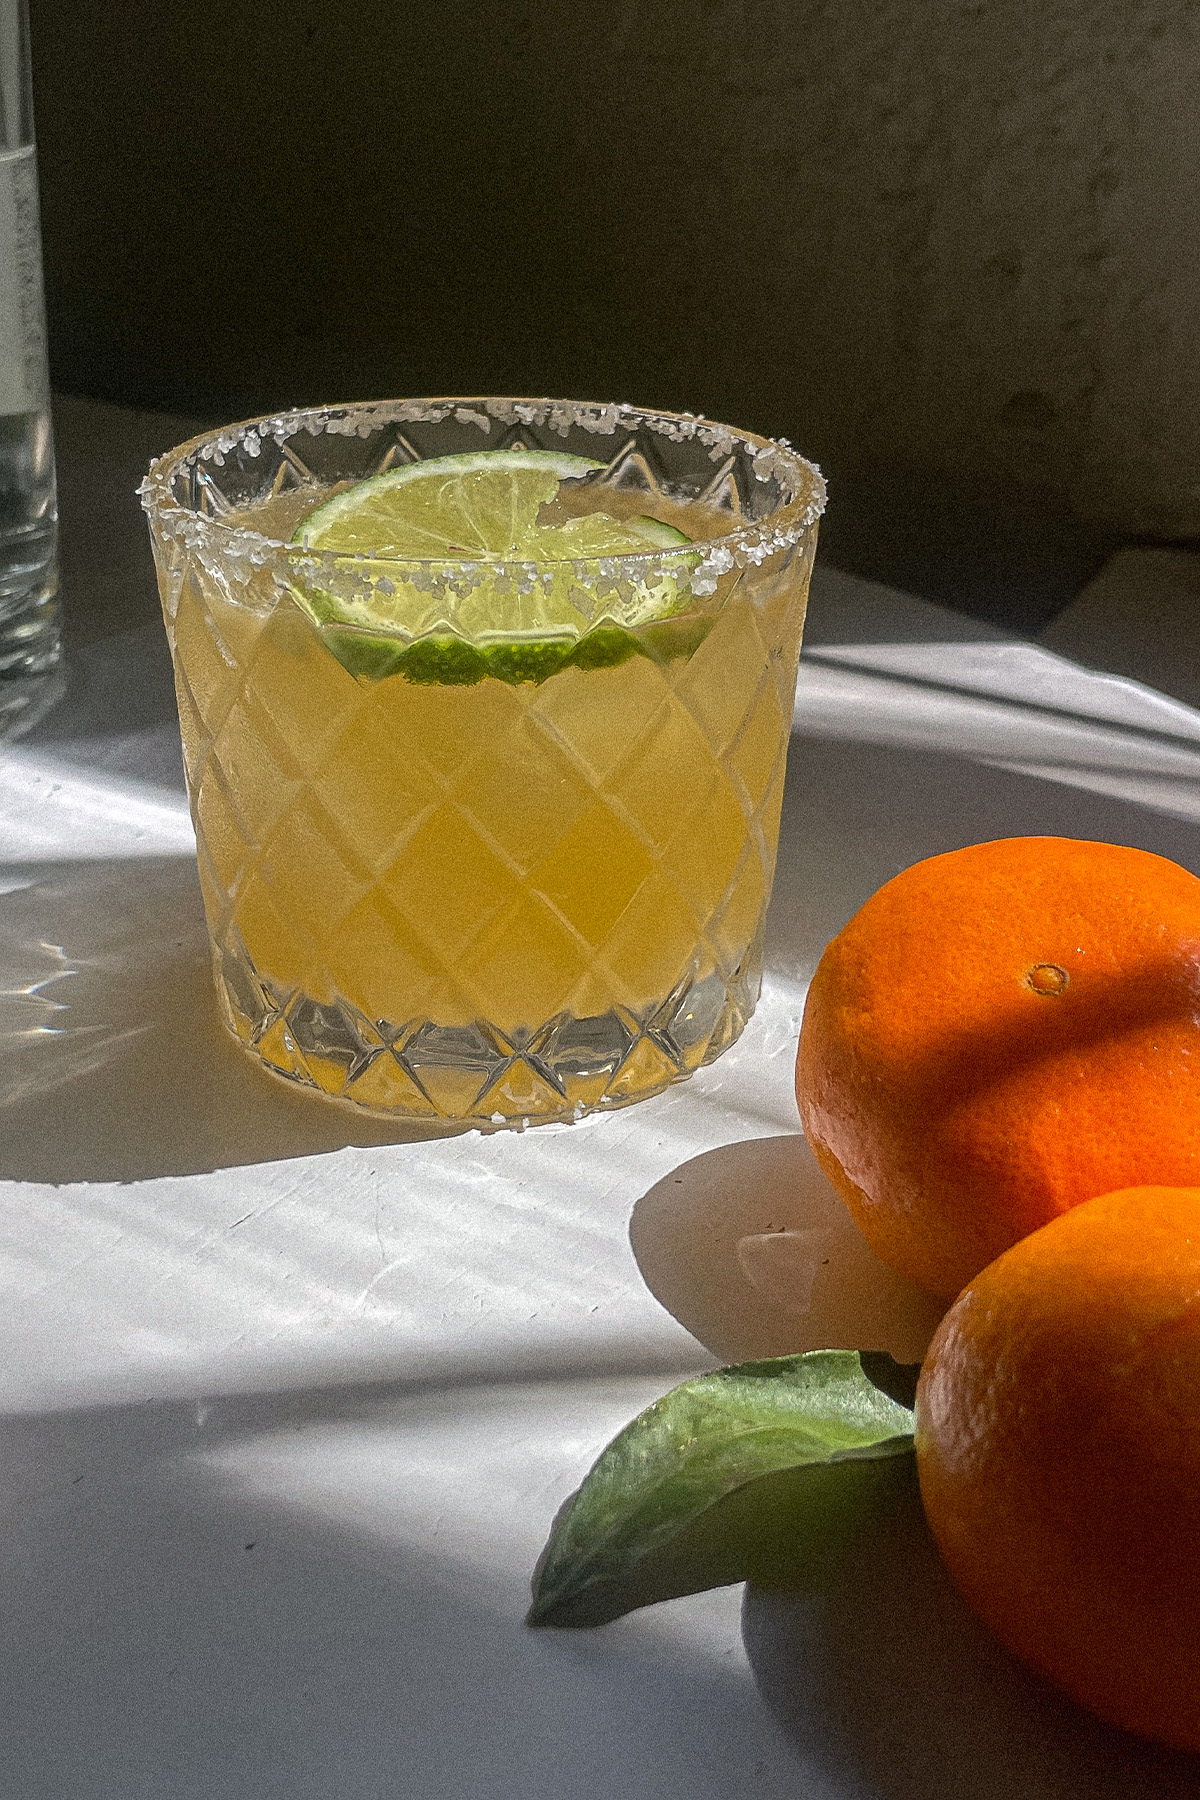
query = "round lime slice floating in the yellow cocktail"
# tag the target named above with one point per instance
(478, 510)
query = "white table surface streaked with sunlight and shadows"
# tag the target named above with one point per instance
(289, 1403)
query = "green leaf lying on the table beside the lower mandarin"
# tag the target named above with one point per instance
(755, 1471)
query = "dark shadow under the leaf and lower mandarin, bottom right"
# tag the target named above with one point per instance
(891, 1687)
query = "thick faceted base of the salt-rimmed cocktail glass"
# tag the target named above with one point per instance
(479, 1074)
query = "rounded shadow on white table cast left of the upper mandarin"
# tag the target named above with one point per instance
(753, 1252)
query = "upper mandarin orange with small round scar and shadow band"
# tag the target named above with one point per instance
(999, 1034)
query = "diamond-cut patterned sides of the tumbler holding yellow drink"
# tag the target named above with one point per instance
(490, 903)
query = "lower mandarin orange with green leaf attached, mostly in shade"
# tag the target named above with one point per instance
(1059, 1453)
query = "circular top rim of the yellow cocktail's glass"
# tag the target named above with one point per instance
(749, 544)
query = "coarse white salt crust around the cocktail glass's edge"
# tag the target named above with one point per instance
(773, 458)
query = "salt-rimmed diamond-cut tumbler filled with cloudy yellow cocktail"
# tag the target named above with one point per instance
(533, 888)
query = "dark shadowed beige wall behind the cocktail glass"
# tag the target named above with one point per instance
(960, 240)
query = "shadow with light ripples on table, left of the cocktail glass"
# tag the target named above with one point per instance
(114, 1061)
